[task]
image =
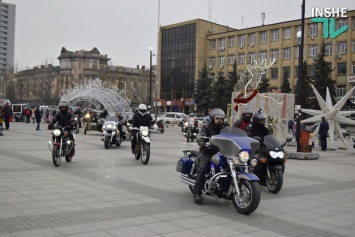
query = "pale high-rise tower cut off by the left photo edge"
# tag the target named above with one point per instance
(7, 34)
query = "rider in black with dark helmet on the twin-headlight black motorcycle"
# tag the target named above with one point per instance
(258, 128)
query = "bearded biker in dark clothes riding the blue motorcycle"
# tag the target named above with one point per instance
(210, 129)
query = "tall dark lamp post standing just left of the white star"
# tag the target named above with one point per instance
(300, 36)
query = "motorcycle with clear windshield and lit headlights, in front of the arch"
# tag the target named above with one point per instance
(110, 132)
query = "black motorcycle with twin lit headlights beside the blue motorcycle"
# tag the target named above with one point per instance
(271, 163)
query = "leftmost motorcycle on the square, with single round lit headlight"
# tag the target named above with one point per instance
(62, 145)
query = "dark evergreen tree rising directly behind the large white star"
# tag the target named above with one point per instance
(322, 75)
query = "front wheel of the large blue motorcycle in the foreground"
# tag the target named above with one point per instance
(249, 198)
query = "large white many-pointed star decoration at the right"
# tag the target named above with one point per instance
(331, 113)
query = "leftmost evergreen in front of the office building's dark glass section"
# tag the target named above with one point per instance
(203, 90)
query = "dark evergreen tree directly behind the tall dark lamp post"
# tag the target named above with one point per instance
(306, 89)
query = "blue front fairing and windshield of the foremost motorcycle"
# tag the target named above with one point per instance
(232, 140)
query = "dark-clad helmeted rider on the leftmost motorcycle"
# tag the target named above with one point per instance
(63, 118)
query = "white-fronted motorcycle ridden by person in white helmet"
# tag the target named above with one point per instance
(143, 144)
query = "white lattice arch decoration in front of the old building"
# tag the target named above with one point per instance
(100, 94)
